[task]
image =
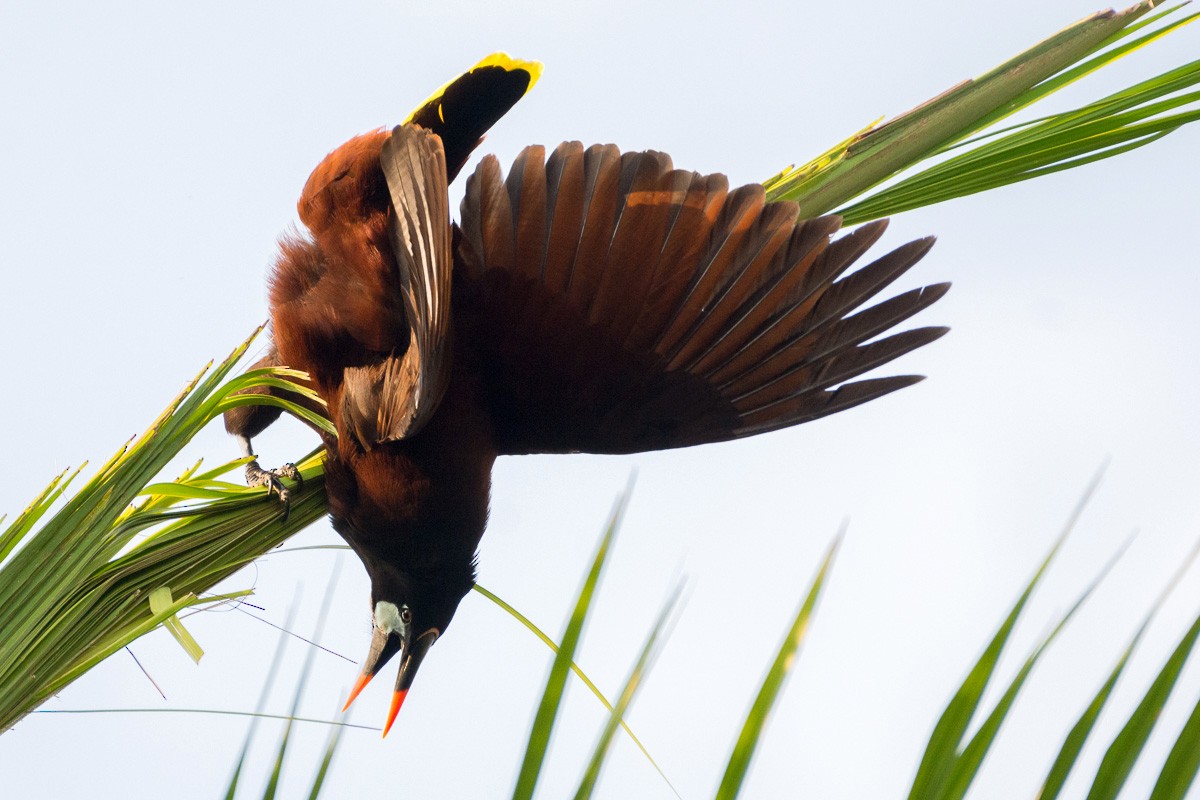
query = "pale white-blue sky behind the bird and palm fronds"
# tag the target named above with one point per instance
(154, 153)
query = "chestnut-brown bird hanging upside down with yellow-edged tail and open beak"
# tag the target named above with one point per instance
(591, 302)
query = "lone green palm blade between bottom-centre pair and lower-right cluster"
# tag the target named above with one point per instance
(757, 720)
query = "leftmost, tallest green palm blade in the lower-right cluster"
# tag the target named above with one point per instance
(943, 751)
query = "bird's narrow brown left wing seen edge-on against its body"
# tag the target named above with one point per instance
(395, 396)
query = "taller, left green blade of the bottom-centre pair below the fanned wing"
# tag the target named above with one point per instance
(556, 683)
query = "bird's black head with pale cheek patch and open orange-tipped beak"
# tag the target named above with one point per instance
(407, 617)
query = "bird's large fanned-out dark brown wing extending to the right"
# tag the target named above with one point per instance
(623, 305)
